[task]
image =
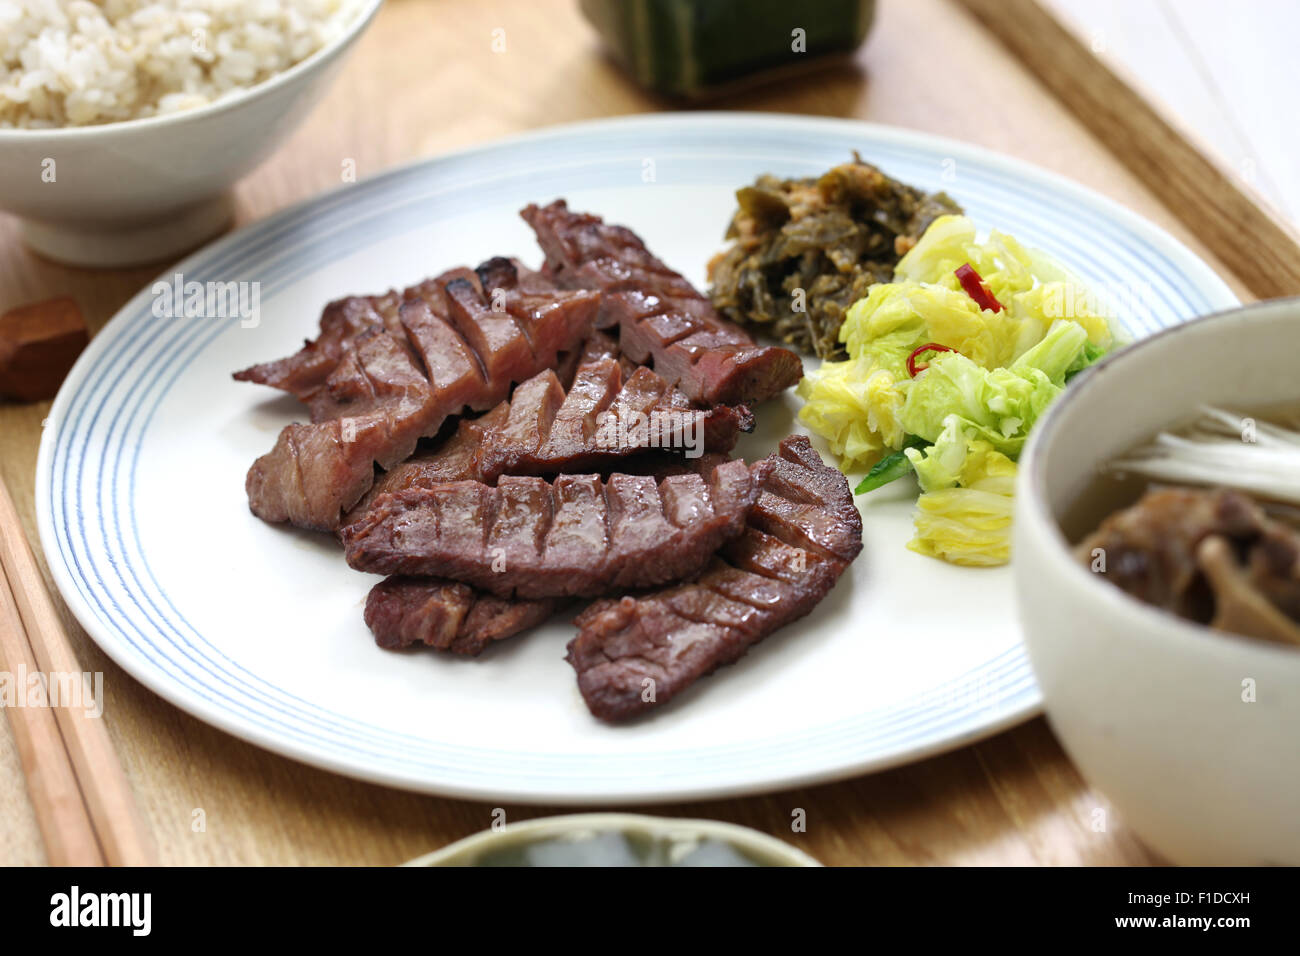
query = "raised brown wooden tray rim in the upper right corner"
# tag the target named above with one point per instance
(1256, 244)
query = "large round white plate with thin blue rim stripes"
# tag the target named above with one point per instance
(258, 630)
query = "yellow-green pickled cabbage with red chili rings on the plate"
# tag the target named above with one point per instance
(968, 413)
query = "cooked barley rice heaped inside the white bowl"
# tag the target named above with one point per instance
(79, 63)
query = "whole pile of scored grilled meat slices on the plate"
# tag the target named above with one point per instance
(586, 465)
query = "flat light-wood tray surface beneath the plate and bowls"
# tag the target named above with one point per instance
(426, 80)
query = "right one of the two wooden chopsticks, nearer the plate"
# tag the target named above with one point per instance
(107, 793)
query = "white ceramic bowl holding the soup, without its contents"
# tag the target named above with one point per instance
(1191, 733)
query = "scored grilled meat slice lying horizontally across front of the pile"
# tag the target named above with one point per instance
(577, 538)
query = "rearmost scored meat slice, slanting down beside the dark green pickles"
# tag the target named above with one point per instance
(661, 317)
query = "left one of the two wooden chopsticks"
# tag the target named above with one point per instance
(57, 797)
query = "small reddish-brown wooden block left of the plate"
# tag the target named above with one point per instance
(38, 347)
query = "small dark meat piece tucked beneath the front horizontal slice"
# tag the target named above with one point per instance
(447, 616)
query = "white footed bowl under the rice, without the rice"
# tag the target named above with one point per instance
(142, 191)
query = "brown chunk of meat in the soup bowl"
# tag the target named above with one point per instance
(1210, 556)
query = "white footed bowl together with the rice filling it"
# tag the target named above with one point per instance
(125, 123)
